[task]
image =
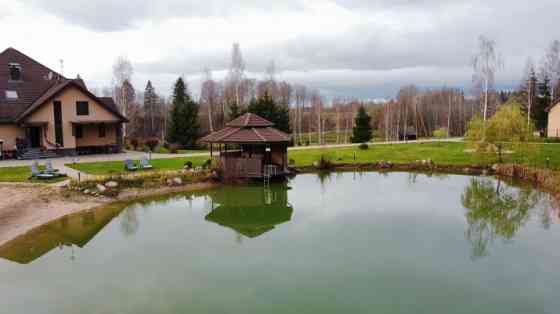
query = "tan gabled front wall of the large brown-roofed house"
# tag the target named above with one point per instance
(68, 99)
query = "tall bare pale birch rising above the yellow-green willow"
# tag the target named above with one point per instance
(485, 64)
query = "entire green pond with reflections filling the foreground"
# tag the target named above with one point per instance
(344, 243)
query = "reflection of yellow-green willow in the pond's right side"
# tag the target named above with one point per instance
(495, 211)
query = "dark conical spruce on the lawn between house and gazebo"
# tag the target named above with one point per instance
(183, 122)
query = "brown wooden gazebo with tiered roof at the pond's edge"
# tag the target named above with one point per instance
(250, 148)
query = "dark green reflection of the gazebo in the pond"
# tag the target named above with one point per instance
(250, 210)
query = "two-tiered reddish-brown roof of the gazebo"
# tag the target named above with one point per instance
(249, 128)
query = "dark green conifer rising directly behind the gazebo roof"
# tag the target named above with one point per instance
(267, 108)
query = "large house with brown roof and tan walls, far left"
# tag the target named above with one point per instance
(44, 114)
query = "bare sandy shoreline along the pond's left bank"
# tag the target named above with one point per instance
(24, 207)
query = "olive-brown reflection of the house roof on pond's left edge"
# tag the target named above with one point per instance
(72, 230)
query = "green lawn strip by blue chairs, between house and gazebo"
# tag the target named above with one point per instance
(117, 167)
